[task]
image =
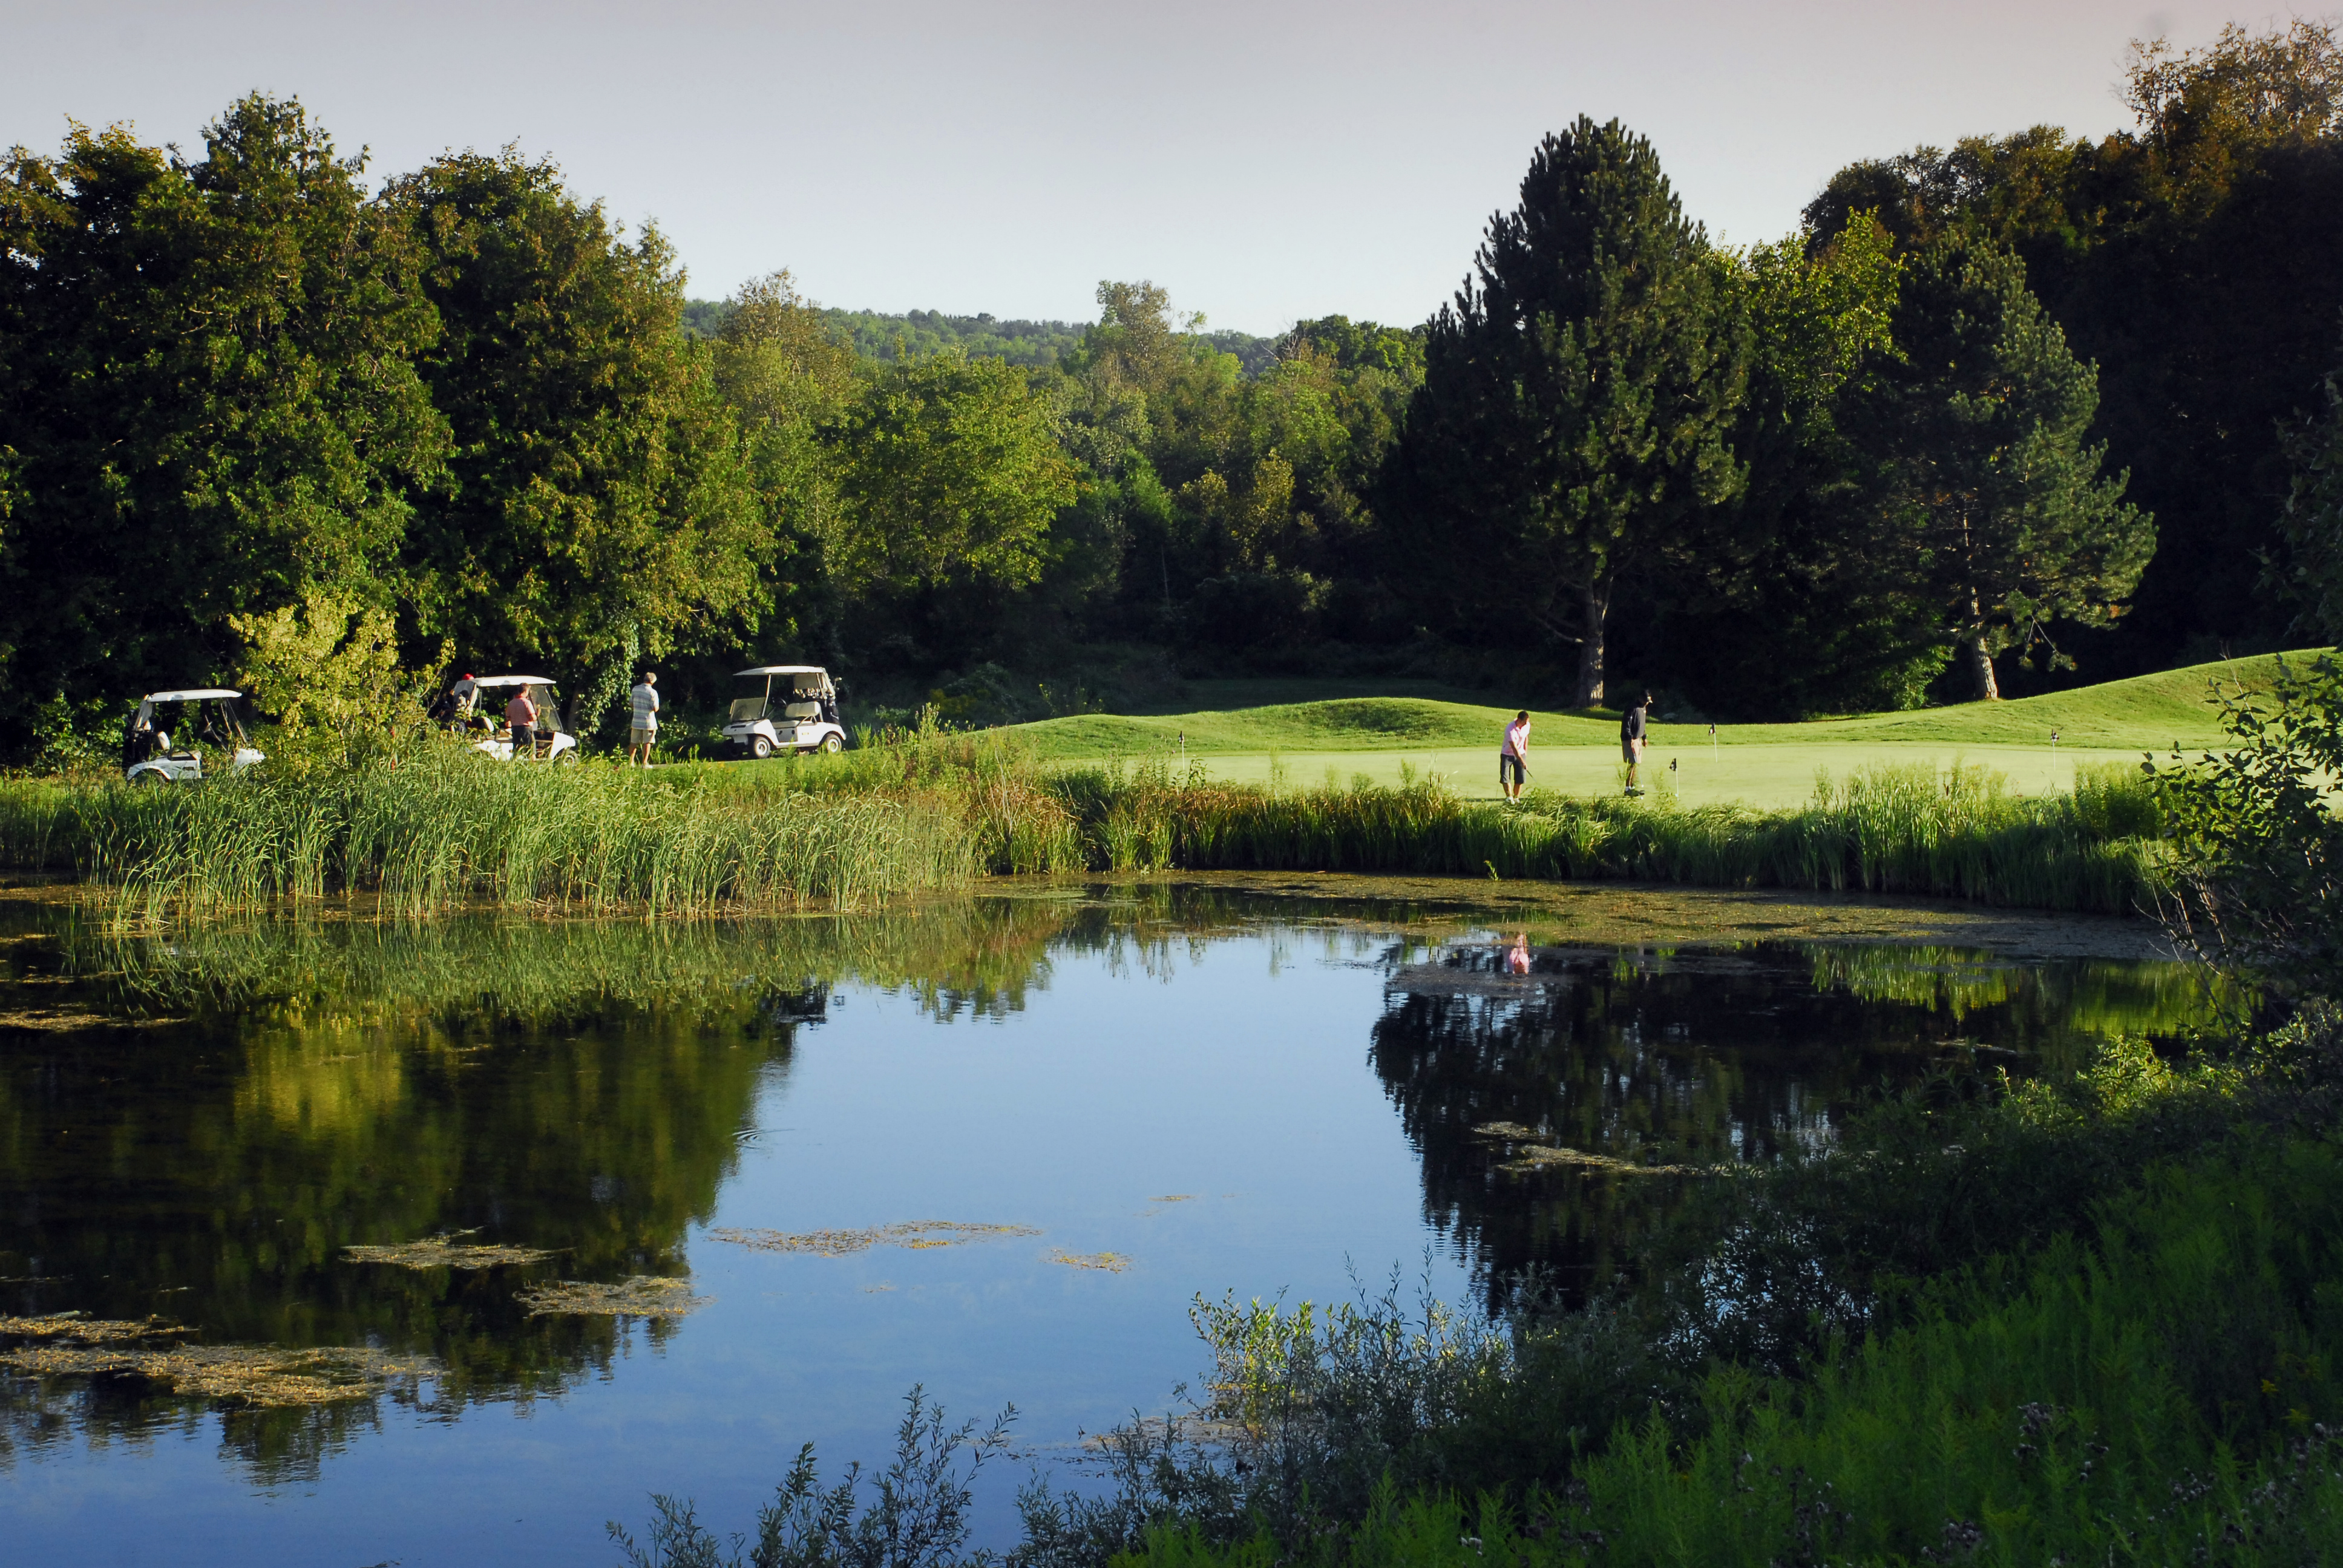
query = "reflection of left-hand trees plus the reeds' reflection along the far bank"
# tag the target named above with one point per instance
(285, 1089)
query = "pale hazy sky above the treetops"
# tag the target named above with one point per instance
(1264, 161)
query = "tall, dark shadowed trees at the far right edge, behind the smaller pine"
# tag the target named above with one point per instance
(2199, 261)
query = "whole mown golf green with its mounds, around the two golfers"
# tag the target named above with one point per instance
(1763, 765)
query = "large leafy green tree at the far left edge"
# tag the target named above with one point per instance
(210, 397)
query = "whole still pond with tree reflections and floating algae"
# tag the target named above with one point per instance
(446, 1243)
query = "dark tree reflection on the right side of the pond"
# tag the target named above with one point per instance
(1698, 1061)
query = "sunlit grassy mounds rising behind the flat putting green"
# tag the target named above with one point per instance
(2143, 714)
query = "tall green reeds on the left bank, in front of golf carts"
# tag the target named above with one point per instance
(439, 826)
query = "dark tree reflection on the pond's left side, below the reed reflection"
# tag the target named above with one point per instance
(214, 1175)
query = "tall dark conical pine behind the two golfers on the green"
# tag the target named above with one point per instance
(1578, 402)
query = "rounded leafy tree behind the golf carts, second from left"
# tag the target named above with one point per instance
(603, 503)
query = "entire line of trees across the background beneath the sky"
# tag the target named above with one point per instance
(1997, 409)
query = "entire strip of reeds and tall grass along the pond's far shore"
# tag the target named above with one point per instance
(439, 829)
